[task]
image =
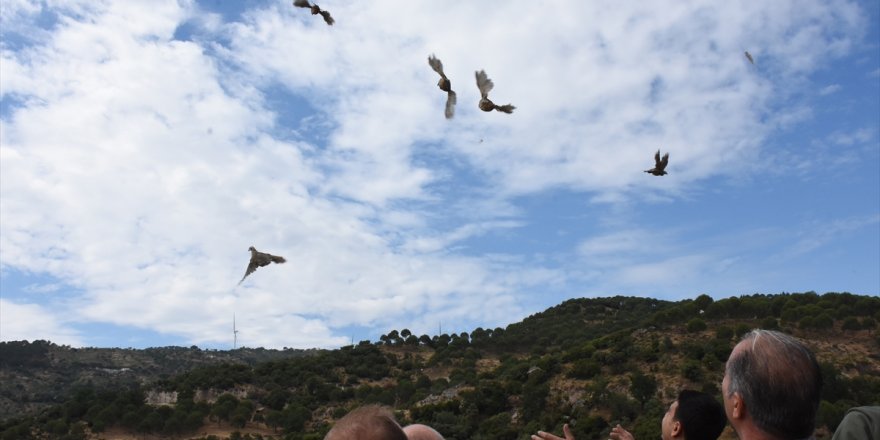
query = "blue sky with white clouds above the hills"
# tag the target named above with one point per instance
(145, 145)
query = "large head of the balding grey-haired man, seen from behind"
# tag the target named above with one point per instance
(772, 384)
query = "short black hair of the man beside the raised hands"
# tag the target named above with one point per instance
(702, 417)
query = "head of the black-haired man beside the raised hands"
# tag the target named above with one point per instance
(693, 416)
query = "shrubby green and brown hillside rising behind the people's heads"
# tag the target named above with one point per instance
(589, 362)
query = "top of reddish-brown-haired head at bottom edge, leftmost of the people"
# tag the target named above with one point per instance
(371, 422)
